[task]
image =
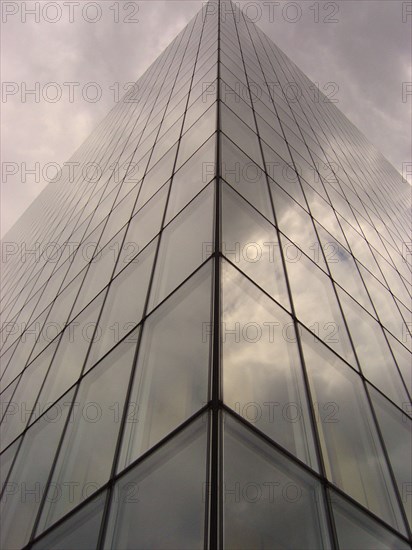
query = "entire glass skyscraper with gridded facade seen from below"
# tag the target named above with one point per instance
(206, 320)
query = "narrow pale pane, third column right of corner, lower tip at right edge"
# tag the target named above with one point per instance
(372, 350)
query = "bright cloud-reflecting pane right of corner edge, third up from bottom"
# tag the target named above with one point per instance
(251, 243)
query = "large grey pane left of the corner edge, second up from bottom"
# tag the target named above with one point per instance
(172, 371)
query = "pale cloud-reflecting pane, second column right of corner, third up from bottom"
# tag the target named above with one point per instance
(316, 304)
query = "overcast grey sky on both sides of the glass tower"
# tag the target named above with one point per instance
(361, 46)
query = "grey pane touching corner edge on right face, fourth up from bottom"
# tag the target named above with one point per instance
(245, 176)
